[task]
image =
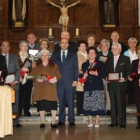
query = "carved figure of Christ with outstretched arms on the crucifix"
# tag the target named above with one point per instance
(64, 18)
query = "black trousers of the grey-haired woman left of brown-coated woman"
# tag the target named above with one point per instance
(25, 96)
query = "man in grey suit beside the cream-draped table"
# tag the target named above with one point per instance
(13, 67)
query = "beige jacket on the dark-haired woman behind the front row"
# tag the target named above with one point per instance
(81, 60)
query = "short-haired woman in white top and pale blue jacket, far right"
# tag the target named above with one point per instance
(131, 53)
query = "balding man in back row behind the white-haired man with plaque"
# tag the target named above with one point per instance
(115, 39)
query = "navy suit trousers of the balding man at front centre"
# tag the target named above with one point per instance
(66, 97)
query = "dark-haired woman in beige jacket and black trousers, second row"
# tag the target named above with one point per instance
(82, 57)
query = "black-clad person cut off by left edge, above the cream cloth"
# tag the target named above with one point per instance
(3, 69)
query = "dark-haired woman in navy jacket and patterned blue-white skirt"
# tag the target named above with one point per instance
(94, 103)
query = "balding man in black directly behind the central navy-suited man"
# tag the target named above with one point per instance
(72, 45)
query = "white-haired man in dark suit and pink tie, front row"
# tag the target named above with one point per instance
(117, 89)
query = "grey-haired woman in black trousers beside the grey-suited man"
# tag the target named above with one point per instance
(25, 89)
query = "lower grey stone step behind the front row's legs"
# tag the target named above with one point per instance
(35, 119)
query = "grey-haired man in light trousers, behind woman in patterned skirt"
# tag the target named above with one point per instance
(104, 55)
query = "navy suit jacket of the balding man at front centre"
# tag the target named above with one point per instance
(68, 69)
